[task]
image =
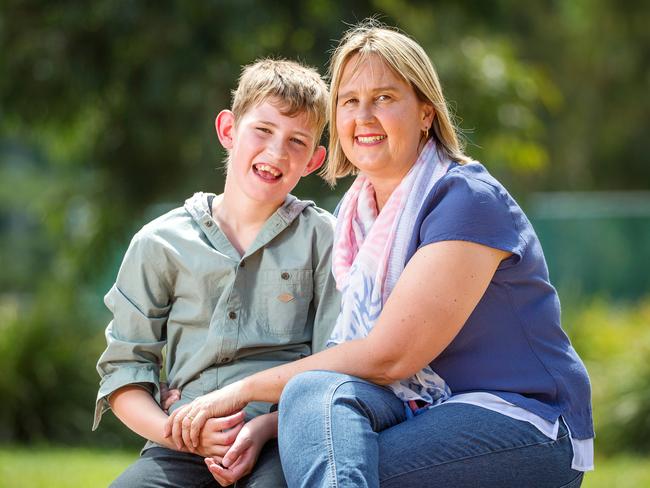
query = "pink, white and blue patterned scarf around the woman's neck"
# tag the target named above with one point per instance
(369, 256)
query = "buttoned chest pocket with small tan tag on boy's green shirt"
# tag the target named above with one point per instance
(287, 296)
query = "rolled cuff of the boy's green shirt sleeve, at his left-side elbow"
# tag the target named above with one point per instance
(140, 375)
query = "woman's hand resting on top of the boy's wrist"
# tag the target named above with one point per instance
(185, 423)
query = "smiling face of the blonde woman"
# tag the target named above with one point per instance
(379, 119)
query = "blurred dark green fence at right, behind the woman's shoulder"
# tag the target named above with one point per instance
(596, 242)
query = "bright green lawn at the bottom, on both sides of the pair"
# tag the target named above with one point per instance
(59, 467)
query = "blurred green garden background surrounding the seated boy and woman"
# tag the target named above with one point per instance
(106, 121)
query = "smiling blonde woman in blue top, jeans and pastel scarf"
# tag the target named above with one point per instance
(441, 274)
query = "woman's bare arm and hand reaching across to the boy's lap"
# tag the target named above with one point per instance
(434, 296)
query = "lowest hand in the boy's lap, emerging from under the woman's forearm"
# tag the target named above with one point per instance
(242, 456)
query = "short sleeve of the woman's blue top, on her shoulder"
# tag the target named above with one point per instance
(465, 207)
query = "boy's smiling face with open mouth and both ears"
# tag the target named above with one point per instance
(268, 152)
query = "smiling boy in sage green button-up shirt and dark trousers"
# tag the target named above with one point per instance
(229, 284)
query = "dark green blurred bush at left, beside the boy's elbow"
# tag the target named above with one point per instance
(49, 392)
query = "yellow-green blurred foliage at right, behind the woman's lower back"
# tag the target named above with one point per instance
(614, 342)
